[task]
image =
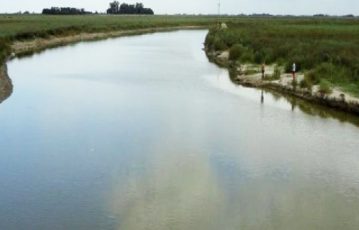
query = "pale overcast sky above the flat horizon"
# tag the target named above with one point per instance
(296, 7)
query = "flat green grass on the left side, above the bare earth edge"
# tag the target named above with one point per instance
(27, 27)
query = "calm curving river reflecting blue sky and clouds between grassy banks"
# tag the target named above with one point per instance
(144, 132)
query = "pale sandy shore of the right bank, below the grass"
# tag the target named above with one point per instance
(249, 75)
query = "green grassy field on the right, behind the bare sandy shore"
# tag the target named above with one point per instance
(325, 49)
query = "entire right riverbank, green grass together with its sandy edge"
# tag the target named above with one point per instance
(325, 51)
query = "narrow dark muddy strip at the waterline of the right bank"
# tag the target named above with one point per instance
(341, 102)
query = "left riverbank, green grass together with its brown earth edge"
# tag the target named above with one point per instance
(27, 34)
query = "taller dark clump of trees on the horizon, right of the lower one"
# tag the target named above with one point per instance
(124, 8)
